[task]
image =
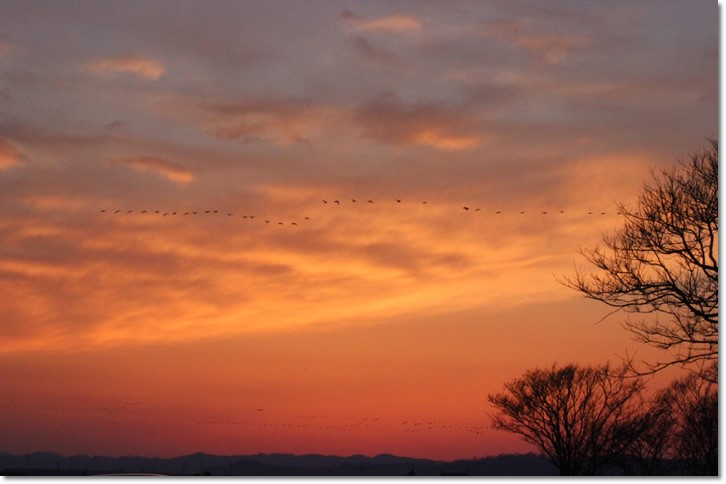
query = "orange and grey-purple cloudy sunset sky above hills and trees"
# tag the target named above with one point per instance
(334, 328)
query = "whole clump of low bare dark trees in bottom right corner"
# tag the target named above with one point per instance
(594, 420)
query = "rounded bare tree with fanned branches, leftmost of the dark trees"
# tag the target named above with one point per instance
(582, 418)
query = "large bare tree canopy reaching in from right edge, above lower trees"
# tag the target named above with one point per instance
(664, 261)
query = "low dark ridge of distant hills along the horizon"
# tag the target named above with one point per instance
(52, 464)
